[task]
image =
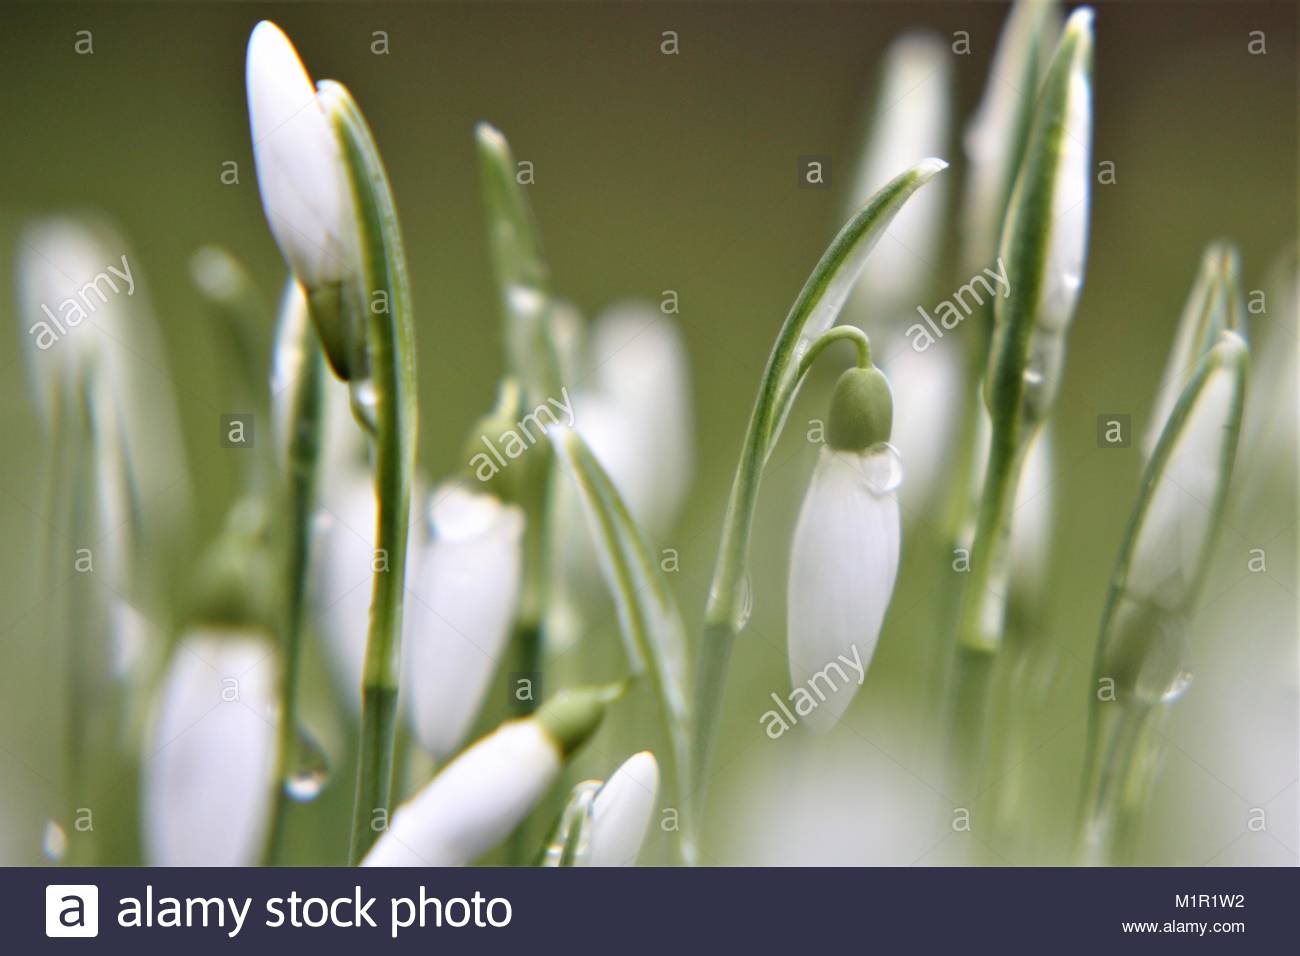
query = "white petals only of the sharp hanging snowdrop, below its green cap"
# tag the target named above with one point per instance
(843, 568)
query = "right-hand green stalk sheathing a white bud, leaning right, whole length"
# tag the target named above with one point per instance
(1141, 660)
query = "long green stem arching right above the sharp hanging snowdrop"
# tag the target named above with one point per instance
(812, 315)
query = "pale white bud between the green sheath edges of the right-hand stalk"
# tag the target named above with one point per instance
(1175, 531)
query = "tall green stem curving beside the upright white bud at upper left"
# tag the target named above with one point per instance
(392, 361)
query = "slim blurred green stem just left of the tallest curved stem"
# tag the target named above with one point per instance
(305, 404)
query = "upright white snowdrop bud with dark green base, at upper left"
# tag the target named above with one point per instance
(305, 188)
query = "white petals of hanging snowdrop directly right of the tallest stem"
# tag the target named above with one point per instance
(458, 617)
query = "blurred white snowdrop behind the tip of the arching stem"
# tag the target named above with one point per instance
(911, 124)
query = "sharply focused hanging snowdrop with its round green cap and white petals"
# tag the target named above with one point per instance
(846, 553)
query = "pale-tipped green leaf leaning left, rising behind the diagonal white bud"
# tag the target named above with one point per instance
(655, 638)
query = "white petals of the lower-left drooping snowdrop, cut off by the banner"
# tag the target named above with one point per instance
(210, 768)
